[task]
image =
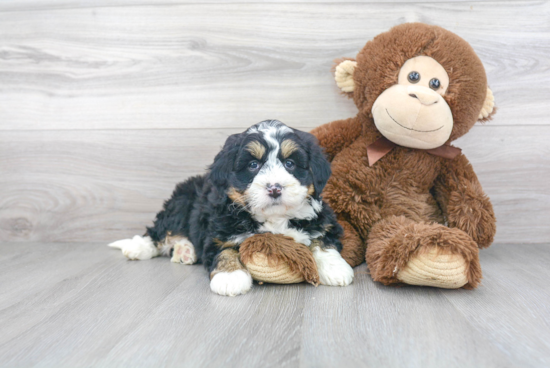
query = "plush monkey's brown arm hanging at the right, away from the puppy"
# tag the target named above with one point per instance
(463, 201)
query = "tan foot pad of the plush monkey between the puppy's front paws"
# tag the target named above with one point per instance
(278, 273)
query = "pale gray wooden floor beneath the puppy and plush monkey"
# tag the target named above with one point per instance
(85, 305)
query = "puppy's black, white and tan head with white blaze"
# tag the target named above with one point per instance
(272, 170)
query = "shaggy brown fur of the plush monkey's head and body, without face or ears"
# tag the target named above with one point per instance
(408, 191)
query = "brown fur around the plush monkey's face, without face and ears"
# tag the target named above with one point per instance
(468, 87)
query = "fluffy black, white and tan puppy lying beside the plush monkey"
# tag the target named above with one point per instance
(267, 179)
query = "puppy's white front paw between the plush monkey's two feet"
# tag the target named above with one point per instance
(332, 268)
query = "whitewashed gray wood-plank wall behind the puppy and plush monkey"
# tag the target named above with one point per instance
(105, 105)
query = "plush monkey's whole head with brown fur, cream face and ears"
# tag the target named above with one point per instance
(417, 101)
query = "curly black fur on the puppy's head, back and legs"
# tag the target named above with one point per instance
(201, 210)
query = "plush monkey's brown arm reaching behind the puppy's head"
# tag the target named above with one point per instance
(336, 136)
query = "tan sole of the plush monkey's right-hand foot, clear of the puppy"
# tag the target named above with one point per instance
(435, 269)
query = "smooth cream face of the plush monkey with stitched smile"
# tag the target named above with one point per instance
(413, 113)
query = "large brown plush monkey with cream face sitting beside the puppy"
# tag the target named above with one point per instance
(401, 192)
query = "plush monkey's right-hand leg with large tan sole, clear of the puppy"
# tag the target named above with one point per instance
(400, 250)
